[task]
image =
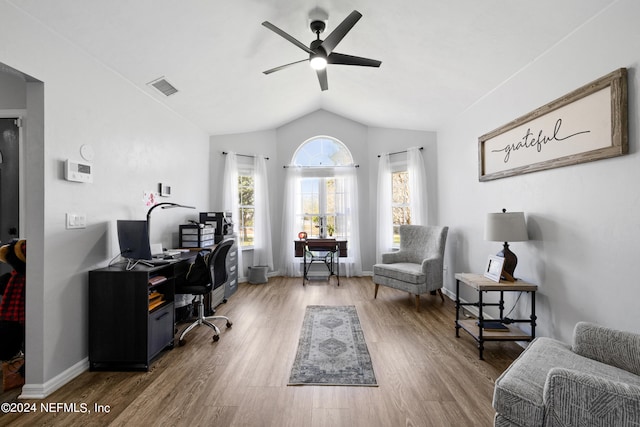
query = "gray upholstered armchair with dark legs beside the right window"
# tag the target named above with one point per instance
(418, 266)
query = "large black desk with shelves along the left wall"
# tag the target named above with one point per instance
(131, 313)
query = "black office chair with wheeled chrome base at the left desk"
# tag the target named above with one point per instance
(217, 268)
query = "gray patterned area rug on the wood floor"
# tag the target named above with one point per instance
(332, 350)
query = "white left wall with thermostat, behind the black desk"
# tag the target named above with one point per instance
(138, 143)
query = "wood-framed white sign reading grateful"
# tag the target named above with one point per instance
(590, 123)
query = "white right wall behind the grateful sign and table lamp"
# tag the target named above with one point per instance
(583, 219)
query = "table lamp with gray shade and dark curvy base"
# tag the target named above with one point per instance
(506, 227)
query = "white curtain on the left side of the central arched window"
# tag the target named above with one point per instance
(289, 265)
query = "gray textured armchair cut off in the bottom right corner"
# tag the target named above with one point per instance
(595, 382)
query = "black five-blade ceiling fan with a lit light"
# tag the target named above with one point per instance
(321, 51)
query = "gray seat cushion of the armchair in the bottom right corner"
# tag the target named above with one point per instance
(518, 393)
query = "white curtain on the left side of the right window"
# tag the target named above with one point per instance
(384, 236)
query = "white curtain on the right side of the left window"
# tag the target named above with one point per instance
(262, 248)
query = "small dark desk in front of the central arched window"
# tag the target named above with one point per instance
(327, 251)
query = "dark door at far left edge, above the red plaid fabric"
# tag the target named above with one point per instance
(9, 183)
